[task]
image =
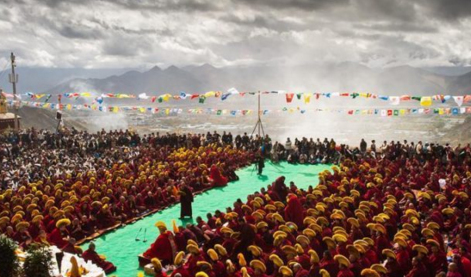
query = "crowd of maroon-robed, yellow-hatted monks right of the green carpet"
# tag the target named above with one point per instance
(403, 212)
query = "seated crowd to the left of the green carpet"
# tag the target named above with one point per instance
(62, 188)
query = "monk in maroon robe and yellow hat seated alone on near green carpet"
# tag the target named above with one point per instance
(164, 246)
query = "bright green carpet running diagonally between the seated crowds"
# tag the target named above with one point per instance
(121, 248)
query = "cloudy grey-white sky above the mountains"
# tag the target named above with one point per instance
(143, 33)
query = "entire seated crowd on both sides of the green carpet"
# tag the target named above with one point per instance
(390, 206)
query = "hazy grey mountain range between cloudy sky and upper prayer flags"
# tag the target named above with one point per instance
(315, 78)
